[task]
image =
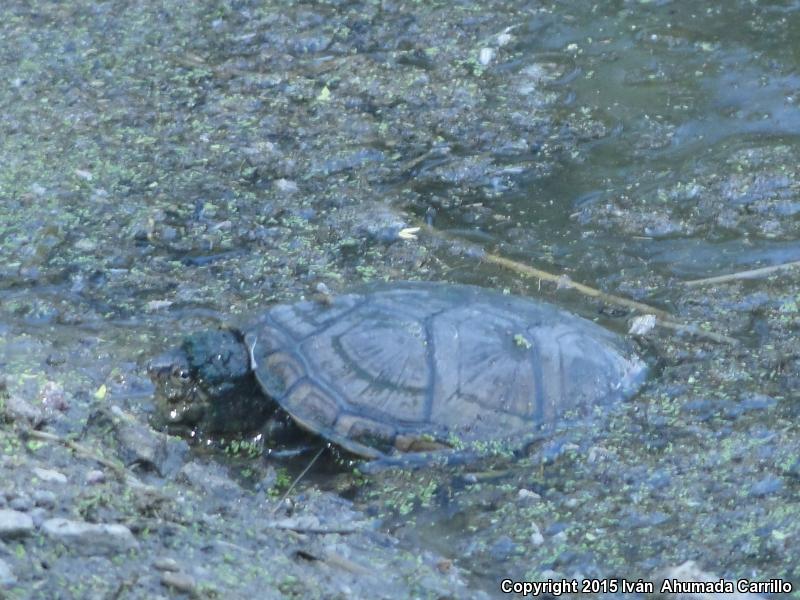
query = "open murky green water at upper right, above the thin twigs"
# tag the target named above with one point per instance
(674, 95)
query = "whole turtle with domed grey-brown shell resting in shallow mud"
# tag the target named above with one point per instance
(396, 368)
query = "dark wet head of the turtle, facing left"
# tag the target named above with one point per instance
(206, 385)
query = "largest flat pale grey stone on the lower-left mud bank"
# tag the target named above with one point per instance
(90, 538)
